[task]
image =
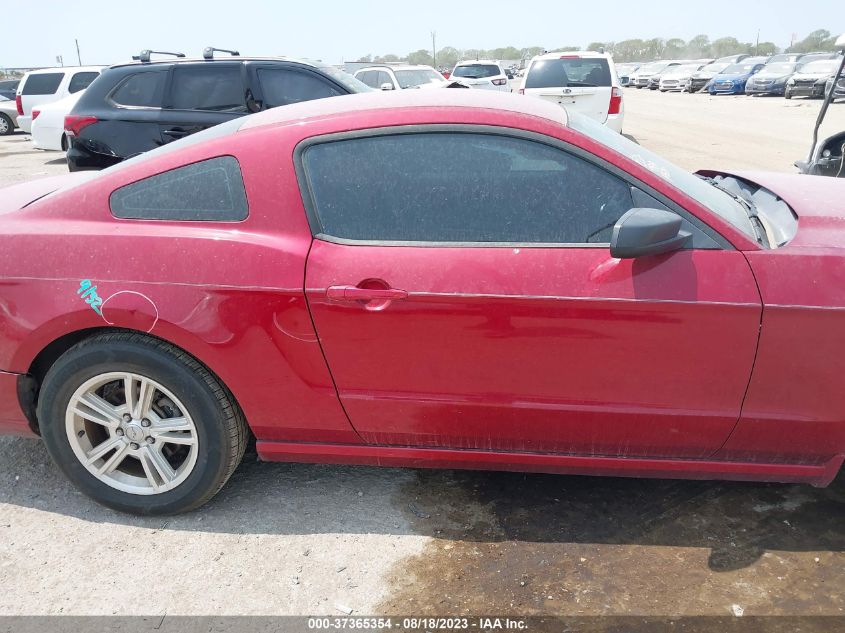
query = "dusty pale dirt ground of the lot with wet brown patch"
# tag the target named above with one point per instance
(302, 539)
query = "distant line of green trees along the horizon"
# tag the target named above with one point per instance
(633, 50)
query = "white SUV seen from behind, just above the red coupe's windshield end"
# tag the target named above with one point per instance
(581, 81)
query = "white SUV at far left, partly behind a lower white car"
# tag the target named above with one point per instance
(50, 84)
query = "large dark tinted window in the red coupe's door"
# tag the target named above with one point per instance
(453, 187)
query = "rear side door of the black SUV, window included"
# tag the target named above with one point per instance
(200, 96)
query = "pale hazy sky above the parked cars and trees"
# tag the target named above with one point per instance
(344, 30)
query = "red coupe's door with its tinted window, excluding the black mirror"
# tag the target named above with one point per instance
(463, 292)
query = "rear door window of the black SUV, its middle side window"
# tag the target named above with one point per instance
(215, 87)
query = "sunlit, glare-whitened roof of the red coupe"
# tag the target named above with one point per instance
(406, 100)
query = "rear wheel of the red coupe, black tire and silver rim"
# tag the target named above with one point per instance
(193, 423)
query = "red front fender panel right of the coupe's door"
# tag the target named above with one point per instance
(795, 410)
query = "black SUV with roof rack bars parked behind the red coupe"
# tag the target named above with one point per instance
(135, 107)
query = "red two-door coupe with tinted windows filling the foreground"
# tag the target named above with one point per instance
(444, 279)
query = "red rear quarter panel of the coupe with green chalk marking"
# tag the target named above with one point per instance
(230, 294)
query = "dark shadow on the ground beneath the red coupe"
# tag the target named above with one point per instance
(736, 521)
